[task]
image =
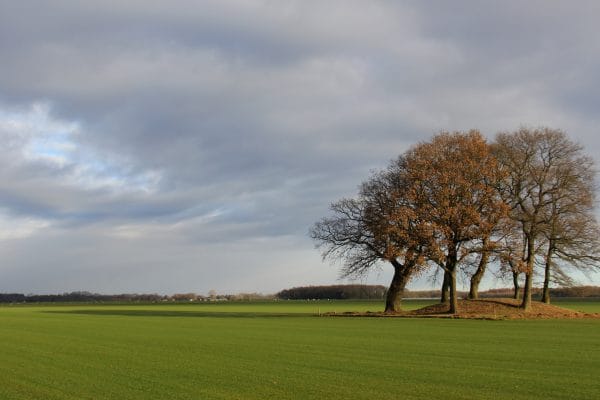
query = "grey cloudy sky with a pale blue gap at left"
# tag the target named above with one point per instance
(187, 146)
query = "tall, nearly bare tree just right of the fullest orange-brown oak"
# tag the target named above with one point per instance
(546, 181)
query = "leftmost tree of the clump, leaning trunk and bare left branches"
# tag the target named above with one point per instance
(377, 226)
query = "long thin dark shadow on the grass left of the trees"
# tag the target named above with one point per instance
(189, 314)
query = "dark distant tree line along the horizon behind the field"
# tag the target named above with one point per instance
(331, 292)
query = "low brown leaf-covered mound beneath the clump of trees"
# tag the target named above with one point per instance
(487, 309)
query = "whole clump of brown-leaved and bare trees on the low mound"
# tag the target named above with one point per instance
(523, 203)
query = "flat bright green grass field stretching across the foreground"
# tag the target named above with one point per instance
(282, 350)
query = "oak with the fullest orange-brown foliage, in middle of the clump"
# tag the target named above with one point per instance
(453, 187)
